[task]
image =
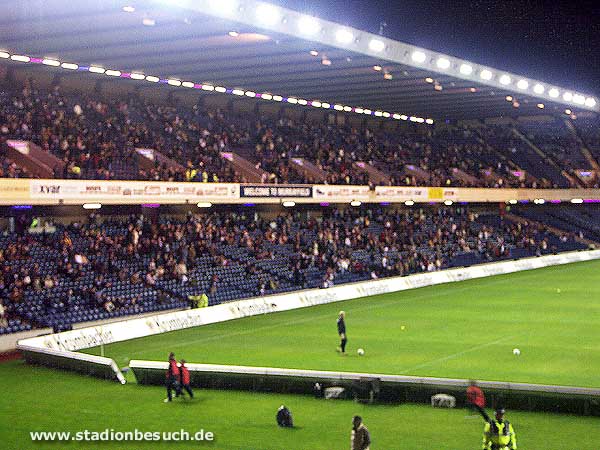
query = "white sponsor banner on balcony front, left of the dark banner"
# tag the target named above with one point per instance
(122, 191)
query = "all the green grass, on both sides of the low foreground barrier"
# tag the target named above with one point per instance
(465, 330)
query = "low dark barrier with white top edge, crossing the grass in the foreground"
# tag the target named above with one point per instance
(391, 388)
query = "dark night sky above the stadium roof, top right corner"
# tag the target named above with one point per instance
(557, 42)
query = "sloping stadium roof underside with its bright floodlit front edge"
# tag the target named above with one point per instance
(252, 47)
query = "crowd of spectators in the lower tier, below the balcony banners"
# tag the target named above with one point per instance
(94, 260)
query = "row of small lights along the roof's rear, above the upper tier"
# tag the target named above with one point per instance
(208, 87)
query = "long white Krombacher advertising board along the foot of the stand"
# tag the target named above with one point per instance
(163, 323)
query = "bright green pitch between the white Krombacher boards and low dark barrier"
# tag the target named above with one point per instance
(457, 330)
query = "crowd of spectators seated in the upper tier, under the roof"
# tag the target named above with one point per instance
(97, 138)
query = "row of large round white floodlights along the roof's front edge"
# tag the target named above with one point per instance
(310, 26)
